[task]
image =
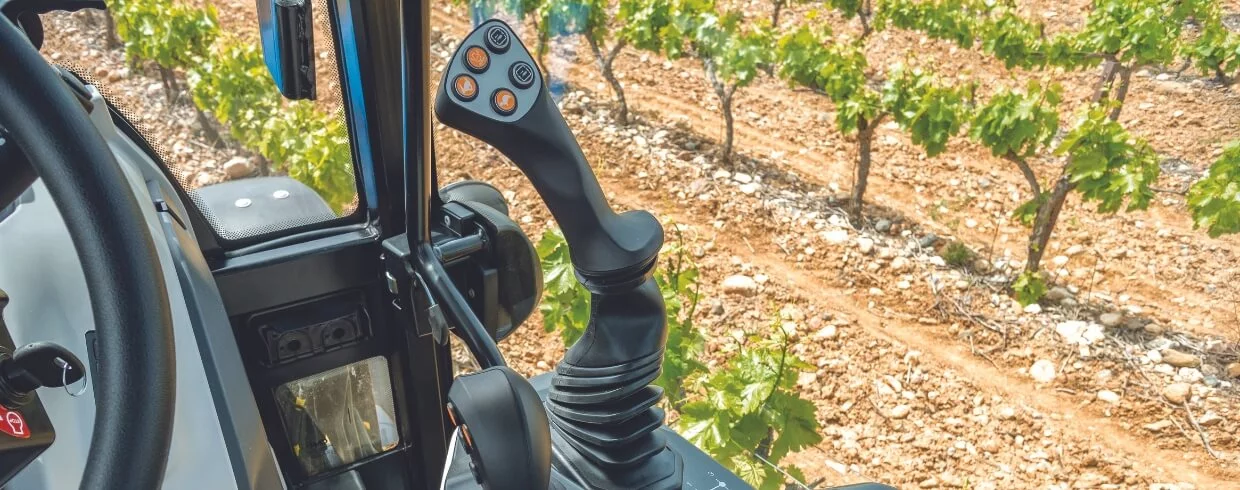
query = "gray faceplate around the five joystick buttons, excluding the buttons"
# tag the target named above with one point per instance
(497, 75)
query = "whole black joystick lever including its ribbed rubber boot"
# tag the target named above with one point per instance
(601, 405)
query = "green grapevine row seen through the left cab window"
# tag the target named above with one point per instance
(229, 80)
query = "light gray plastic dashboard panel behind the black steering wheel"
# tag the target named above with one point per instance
(49, 302)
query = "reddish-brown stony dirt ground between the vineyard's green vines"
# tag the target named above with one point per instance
(928, 375)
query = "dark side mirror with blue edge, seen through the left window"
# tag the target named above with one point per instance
(288, 47)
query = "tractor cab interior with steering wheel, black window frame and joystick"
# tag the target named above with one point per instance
(257, 334)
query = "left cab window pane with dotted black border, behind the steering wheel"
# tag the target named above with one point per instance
(192, 78)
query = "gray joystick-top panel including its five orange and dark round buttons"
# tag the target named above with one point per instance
(492, 61)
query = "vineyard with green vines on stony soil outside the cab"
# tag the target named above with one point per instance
(938, 244)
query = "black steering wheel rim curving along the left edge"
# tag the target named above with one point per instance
(133, 422)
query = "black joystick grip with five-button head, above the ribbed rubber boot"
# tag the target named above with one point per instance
(493, 91)
